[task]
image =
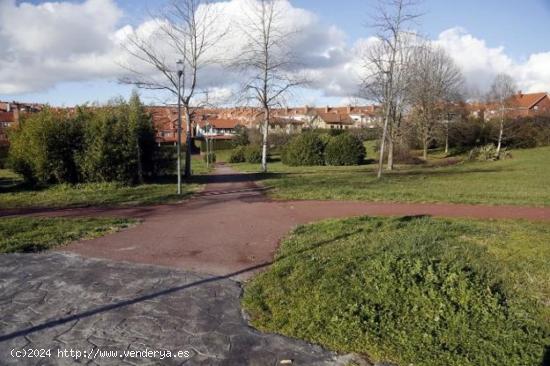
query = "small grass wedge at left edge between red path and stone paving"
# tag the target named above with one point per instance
(24, 234)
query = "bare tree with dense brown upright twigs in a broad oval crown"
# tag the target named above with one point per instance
(435, 83)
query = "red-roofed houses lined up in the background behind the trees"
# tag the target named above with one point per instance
(221, 123)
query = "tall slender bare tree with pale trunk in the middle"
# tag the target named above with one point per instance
(267, 61)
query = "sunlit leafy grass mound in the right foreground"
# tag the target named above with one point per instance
(416, 291)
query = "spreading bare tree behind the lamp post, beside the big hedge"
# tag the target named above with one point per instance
(186, 31)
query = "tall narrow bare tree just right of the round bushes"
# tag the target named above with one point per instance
(385, 64)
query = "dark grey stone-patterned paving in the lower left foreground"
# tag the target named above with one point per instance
(61, 301)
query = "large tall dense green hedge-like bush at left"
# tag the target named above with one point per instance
(113, 143)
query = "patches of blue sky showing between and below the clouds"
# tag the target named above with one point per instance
(521, 28)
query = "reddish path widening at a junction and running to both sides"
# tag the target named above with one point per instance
(231, 226)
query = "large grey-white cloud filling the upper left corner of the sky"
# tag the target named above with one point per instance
(59, 41)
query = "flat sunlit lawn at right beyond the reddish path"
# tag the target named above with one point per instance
(523, 180)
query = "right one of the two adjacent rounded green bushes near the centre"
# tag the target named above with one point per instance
(344, 149)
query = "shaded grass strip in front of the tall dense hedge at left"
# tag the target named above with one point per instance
(13, 194)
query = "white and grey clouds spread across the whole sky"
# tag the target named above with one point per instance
(52, 42)
